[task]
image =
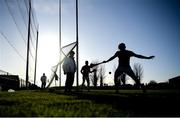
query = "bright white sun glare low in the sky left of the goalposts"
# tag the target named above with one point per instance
(48, 54)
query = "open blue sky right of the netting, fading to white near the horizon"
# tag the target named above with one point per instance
(147, 27)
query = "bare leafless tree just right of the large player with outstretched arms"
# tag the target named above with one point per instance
(138, 71)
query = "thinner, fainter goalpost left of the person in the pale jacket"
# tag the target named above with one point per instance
(60, 41)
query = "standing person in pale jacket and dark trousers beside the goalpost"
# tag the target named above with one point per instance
(69, 68)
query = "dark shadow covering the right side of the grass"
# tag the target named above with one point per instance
(152, 104)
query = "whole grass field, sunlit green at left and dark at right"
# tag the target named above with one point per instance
(96, 103)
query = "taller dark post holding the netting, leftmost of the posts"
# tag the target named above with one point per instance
(28, 41)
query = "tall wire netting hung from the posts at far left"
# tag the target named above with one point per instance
(14, 20)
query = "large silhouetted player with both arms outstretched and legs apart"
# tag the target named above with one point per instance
(124, 64)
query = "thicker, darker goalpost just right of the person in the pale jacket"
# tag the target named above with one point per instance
(77, 41)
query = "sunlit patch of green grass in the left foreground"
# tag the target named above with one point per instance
(37, 103)
